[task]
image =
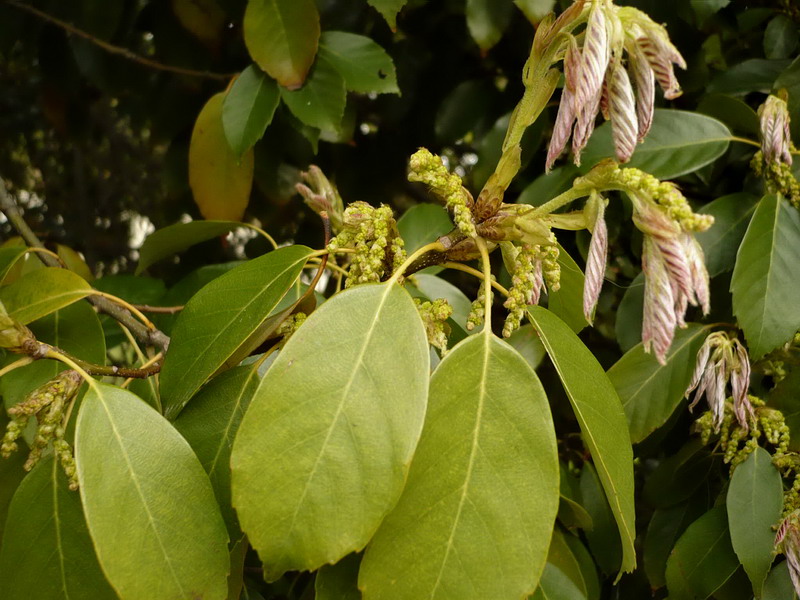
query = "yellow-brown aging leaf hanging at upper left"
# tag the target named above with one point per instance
(220, 180)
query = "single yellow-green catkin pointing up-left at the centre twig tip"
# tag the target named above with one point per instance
(430, 170)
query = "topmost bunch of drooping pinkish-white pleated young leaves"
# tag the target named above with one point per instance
(623, 53)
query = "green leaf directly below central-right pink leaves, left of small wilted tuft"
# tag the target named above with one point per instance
(650, 392)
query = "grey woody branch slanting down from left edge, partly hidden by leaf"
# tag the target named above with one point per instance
(124, 316)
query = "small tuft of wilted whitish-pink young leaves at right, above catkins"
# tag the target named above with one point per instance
(720, 360)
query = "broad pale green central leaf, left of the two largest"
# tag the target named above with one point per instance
(323, 451)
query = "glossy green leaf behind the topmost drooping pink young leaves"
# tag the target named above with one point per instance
(679, 142)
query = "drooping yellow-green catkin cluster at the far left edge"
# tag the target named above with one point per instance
(48, 404)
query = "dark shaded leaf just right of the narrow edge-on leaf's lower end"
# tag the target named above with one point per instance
(602, 538)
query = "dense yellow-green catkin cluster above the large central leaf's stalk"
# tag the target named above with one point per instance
(372, 232)
